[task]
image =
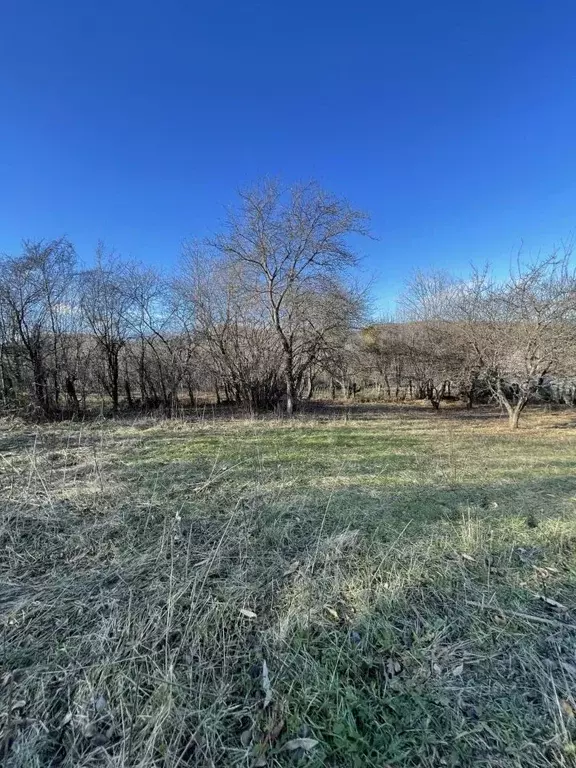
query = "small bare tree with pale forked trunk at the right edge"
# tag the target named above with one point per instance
(521, 330)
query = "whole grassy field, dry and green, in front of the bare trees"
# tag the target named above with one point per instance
(377, 587)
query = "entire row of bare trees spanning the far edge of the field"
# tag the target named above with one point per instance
(266, 313)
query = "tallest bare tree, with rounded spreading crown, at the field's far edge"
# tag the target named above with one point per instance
(293, 250)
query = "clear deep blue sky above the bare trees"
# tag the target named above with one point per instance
(452, 123)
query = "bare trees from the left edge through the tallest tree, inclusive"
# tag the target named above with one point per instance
(248, 316)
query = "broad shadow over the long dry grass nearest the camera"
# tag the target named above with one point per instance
(372, 646)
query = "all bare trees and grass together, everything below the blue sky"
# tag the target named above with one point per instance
(244, 523)
